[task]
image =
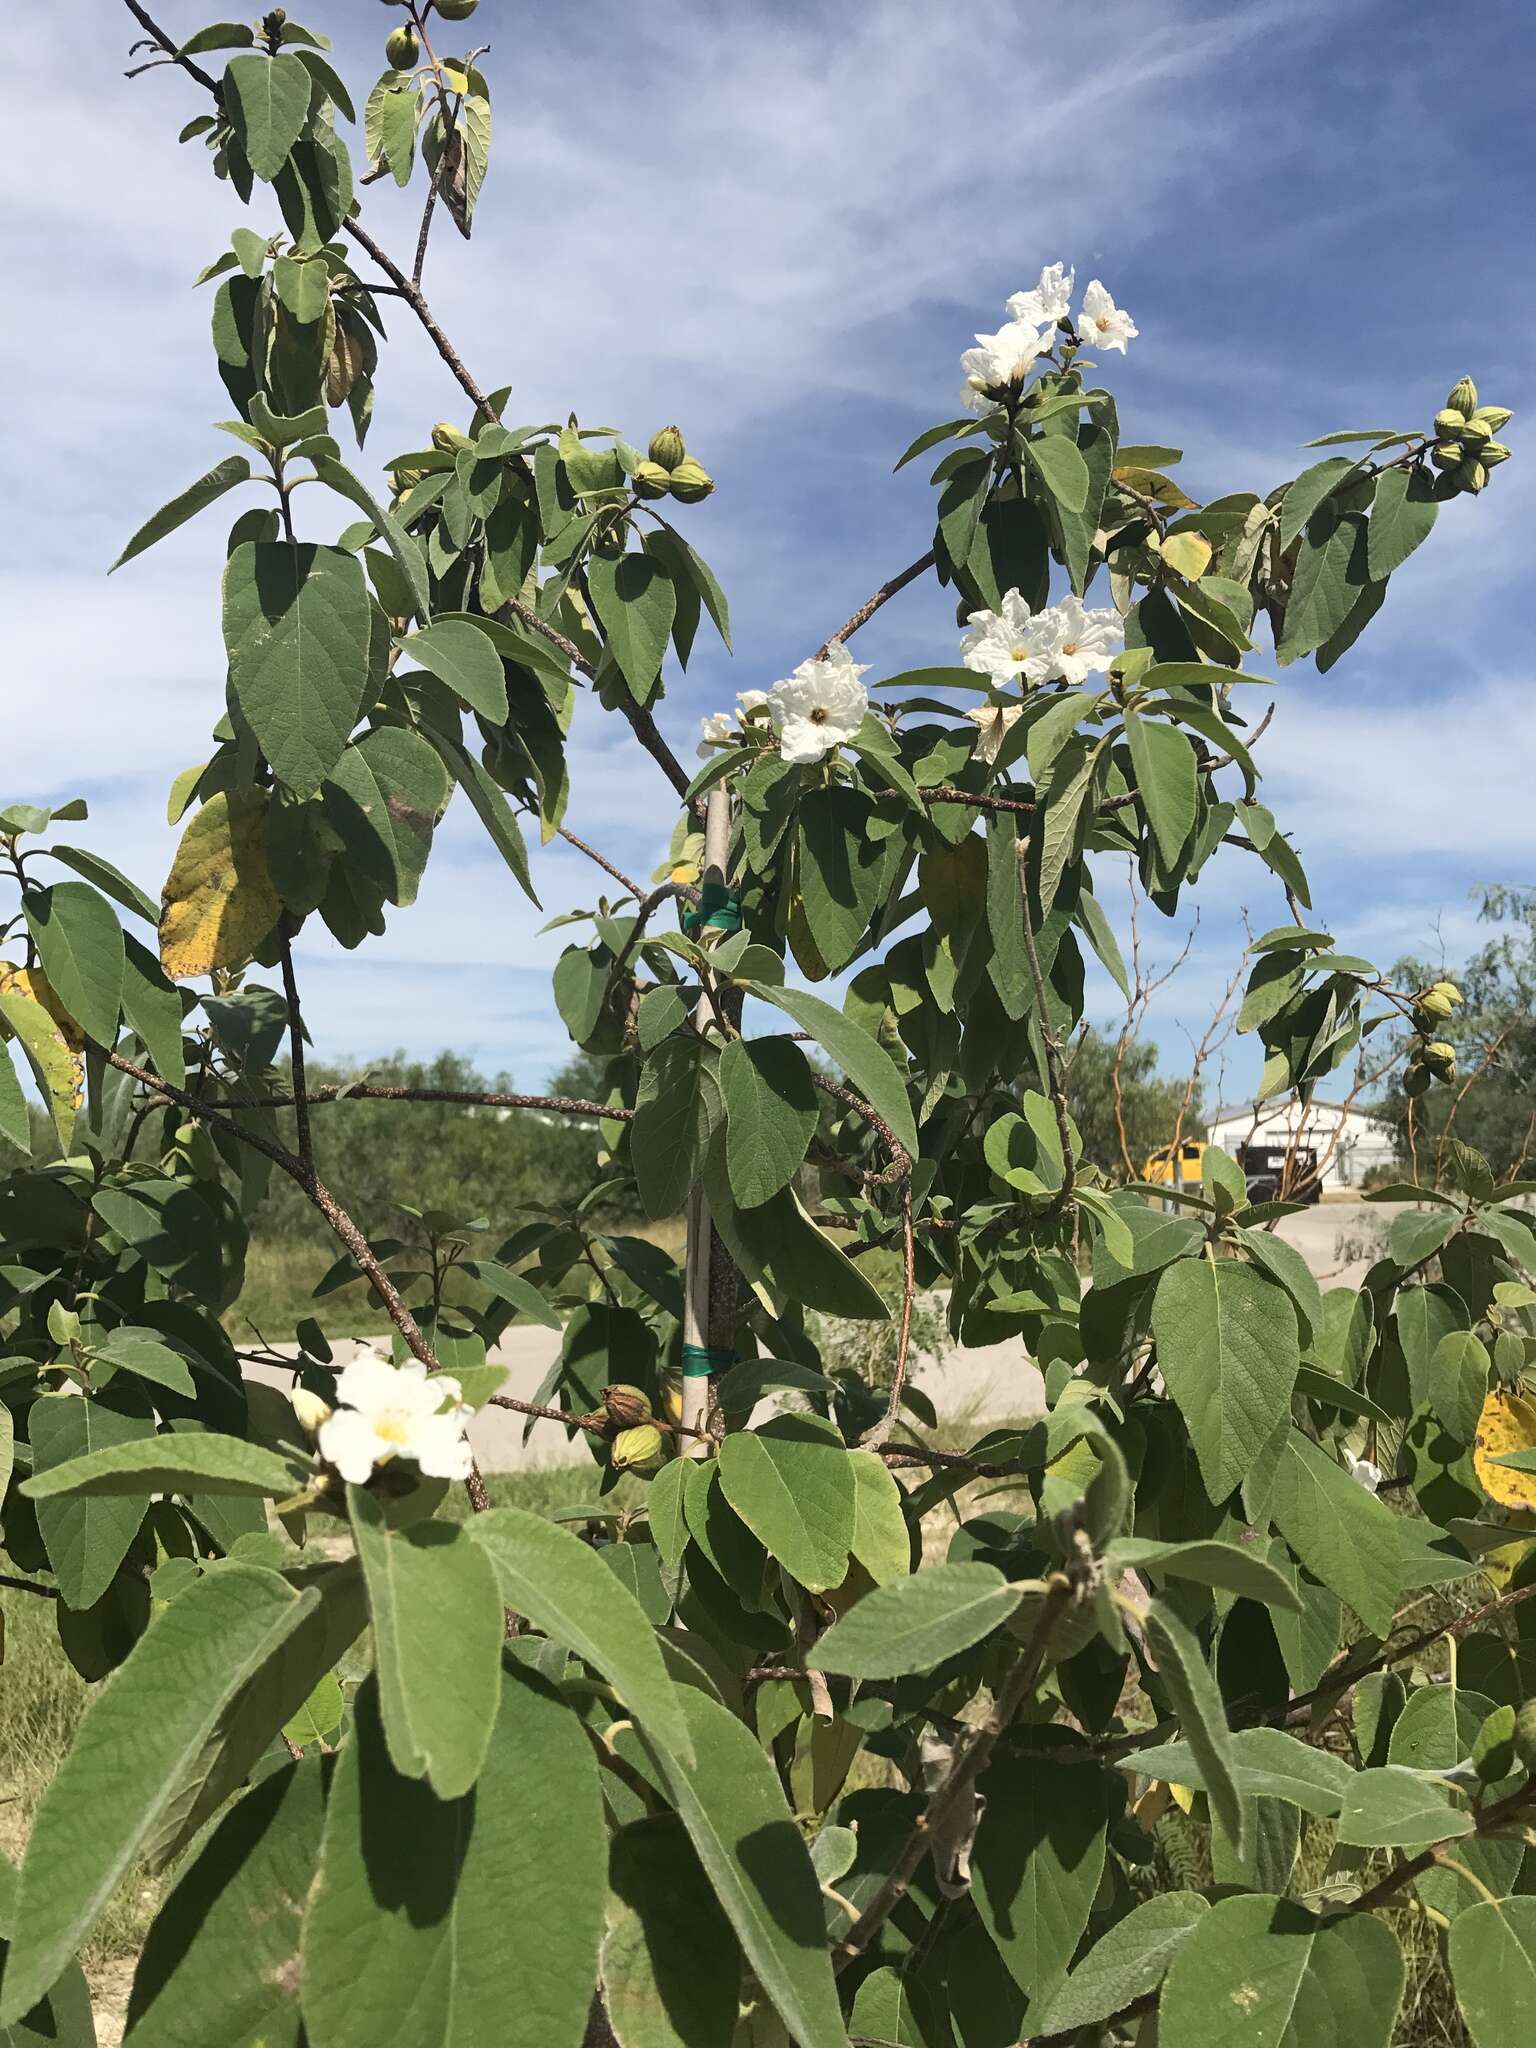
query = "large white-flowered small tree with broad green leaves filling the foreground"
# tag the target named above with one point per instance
(839, 1736)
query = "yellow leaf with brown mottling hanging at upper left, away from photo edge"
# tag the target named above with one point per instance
(218, 902)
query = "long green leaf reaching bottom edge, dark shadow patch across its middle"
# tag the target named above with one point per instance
(757, 1865)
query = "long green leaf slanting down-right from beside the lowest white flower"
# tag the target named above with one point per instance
(564, 1588)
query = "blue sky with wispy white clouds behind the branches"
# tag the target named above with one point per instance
(779, 226)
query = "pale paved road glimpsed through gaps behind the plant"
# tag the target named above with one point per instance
(976, 1385)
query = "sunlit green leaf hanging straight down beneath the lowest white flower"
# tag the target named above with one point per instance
(437, 1644)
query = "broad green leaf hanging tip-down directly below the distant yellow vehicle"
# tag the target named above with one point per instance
(1228, 1349)
